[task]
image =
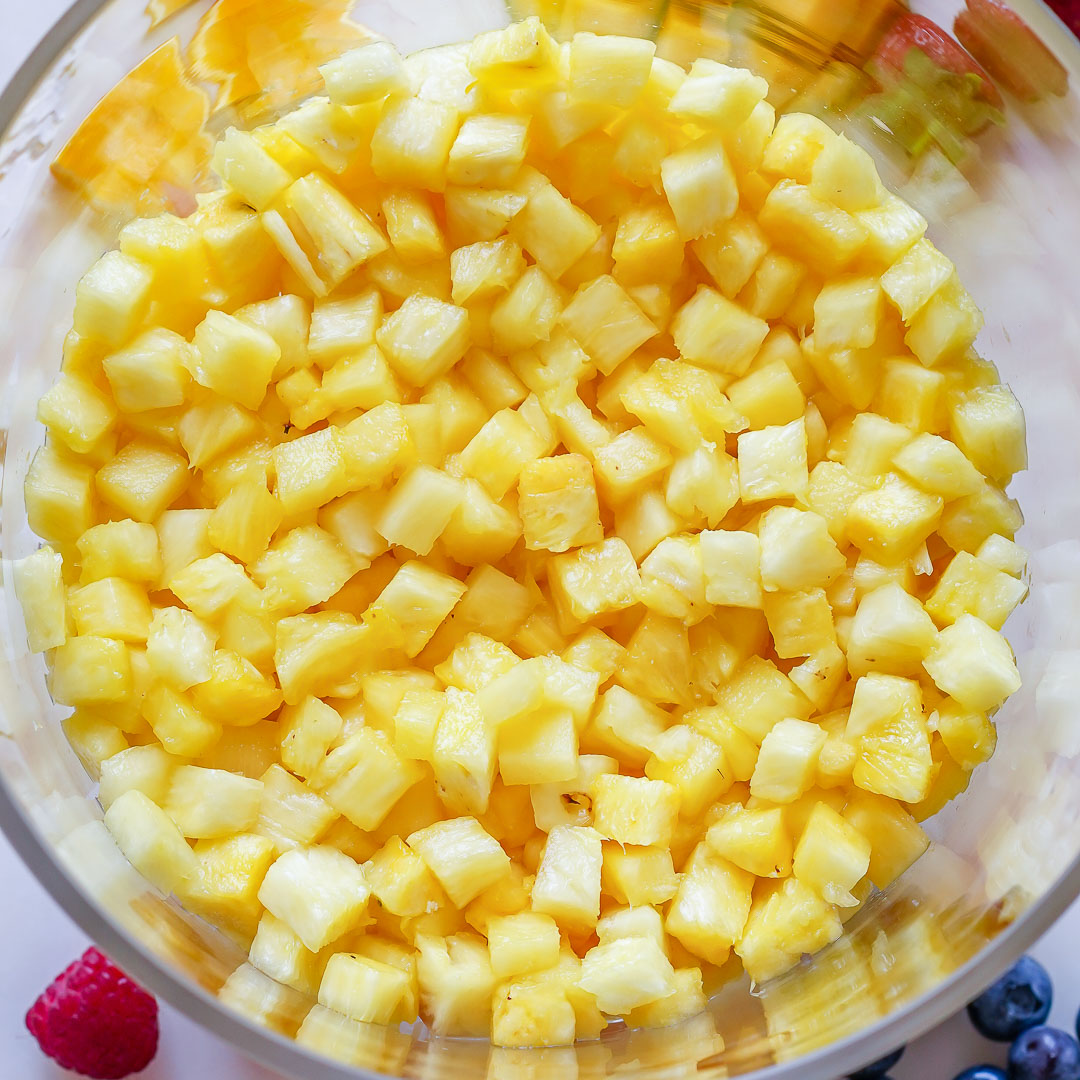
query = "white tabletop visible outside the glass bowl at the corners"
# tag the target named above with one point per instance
(37, 940)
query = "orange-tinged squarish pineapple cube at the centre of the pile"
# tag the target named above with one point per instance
(558, 504)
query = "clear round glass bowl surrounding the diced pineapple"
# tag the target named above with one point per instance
(1004, 205)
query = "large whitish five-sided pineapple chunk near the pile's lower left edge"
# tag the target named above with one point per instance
(318, 893)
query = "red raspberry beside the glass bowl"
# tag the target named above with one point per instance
(94, 1020)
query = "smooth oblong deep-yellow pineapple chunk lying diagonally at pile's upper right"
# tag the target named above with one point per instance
(825, 237)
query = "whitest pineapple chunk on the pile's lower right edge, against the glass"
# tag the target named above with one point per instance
(973, 663)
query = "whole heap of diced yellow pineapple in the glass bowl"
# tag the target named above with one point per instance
(538, 531)
